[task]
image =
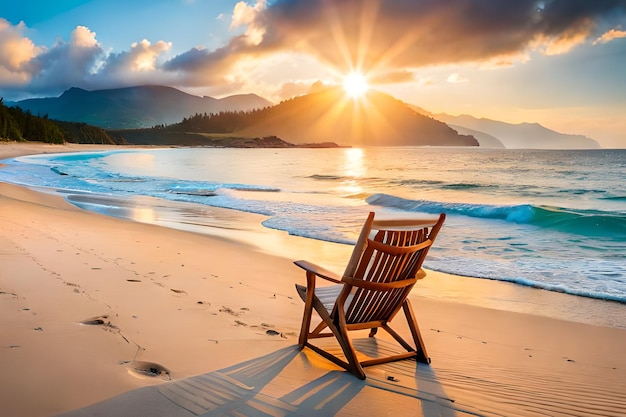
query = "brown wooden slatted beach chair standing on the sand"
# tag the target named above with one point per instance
(374, 288)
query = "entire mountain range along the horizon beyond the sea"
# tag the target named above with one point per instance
(303, 119)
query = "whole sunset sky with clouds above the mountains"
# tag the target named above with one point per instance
(561, 63)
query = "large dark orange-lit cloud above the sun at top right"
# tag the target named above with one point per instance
(400, 34)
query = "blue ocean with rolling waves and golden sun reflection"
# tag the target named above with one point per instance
(548, 219)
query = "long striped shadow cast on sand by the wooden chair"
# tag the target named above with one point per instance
(287, 383)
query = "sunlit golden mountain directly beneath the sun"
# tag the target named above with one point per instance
(327, 115)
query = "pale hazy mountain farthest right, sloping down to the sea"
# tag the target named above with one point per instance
(516, 136)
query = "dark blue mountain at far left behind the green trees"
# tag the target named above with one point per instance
(133, 107)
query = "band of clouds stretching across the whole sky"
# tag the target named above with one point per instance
(391, 40)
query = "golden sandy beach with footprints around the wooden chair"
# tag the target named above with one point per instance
(101, 316)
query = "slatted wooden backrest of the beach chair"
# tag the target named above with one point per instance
(384, 266)
